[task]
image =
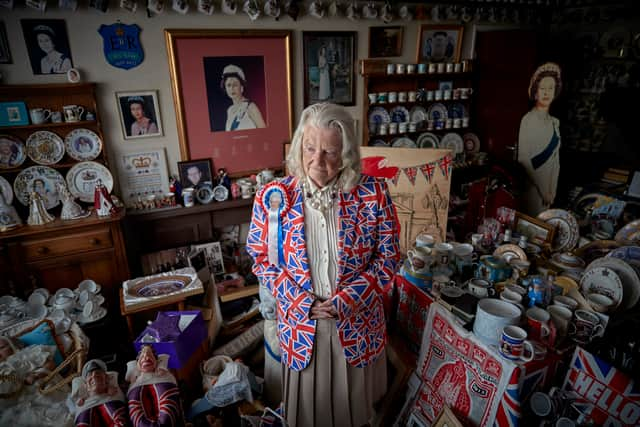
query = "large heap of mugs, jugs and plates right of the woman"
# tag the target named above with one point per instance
(528, 301)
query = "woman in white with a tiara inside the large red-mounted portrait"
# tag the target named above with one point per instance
(243, 113)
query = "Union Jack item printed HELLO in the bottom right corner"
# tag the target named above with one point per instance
(606, 396)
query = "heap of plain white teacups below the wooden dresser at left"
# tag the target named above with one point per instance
(83, 305)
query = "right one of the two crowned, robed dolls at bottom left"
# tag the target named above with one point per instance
(154, 398)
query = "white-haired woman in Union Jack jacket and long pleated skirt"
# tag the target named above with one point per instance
(325, 254)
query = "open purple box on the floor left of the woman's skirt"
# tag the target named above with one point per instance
(185, 345)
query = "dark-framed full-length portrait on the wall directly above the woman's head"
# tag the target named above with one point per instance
(329, 66)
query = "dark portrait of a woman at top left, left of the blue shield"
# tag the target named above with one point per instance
(47, 45)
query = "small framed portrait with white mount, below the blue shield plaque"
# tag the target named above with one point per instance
(139, 114)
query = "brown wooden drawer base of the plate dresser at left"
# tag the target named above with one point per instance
(62, 254)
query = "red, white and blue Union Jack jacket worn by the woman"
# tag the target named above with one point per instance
(368, 253)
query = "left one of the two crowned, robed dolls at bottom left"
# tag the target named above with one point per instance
(97, 398)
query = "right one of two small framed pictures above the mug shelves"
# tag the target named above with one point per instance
(439, 43)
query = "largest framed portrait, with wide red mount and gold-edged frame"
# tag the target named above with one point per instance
(245, 114)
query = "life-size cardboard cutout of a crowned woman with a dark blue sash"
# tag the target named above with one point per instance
(539, 140)
